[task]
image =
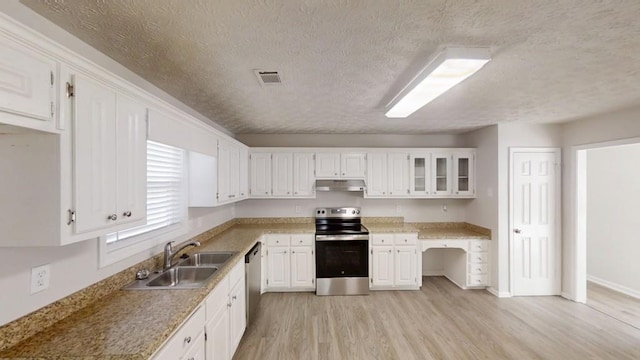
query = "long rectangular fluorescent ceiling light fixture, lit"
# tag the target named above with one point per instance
(446, 70)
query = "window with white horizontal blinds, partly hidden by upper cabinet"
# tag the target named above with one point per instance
(166, 206)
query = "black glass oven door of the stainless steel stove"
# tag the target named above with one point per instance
(342, 258)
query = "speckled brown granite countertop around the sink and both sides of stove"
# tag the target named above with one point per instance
(133, 324)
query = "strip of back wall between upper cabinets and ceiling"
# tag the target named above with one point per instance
(349, 140)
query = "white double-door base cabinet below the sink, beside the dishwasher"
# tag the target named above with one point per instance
(226, 317)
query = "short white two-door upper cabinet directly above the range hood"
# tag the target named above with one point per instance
(336, 165)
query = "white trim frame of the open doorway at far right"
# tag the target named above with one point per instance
(577, 244)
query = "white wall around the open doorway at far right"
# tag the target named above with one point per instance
(583, 134)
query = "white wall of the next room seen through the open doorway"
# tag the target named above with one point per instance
(613, 208)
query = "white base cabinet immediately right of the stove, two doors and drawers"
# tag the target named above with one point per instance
(395, 262)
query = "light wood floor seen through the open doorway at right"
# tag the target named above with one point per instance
(618, 305)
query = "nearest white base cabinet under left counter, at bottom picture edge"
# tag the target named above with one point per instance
(187, 340)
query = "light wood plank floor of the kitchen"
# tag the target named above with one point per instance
(439, 322)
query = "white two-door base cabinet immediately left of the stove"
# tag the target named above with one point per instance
(290, 262)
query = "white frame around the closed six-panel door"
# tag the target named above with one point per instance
(558, 217)
